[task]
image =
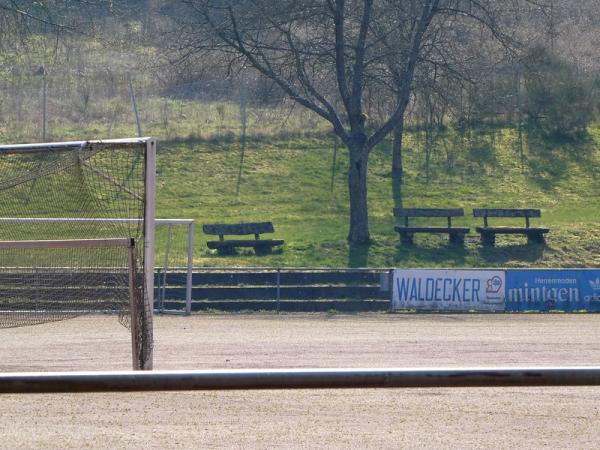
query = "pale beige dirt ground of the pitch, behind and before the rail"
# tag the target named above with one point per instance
(370, 418)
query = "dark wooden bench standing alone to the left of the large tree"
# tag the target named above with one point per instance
(241, 229)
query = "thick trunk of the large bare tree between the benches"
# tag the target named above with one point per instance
(357, 188)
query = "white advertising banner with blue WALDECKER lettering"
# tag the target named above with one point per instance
(448, 290)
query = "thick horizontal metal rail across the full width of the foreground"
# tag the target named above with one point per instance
(129, 381)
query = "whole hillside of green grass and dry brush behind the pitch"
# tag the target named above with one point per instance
(196, 111)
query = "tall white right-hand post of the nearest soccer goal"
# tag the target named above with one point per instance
(149, 246)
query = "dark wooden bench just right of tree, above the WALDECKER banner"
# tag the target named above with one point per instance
(457, 234)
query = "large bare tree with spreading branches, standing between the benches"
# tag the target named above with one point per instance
(327, 55)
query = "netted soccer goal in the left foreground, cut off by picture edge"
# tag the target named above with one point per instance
(52, 271)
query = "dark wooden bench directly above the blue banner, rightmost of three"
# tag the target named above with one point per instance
(488, 233)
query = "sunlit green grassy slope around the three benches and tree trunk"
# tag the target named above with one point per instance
(287, 180)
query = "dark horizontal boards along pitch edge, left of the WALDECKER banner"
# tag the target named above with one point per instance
(281, 289)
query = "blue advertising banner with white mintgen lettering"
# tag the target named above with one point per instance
(547, 290)
